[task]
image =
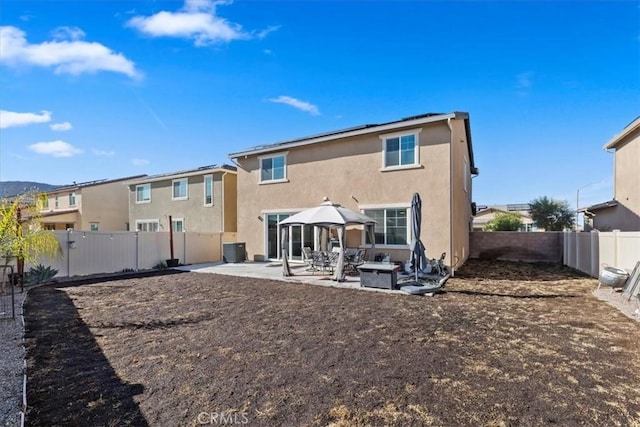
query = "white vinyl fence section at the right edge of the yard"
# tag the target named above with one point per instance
(589, 252)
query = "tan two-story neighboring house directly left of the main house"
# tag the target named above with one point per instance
(198, 200)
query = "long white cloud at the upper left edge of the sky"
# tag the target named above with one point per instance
(65, 53)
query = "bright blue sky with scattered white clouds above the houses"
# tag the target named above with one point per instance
(107, 89)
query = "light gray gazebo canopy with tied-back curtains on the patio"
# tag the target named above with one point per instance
(327, 215)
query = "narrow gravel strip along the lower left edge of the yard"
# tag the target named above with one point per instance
(11, 366)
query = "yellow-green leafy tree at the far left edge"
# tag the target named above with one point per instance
(21, 236)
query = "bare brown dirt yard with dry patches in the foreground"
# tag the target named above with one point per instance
(506, 344)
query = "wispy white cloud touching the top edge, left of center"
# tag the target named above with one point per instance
(198, 21)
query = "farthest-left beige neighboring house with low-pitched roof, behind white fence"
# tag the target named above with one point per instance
(91, 206)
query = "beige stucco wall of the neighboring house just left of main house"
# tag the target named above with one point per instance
(196, 216)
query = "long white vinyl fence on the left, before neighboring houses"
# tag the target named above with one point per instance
(85, 252)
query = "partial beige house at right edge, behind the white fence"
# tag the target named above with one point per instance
(623, 212)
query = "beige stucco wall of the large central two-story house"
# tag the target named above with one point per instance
(348, 171)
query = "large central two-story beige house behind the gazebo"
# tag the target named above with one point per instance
(374, 169)
